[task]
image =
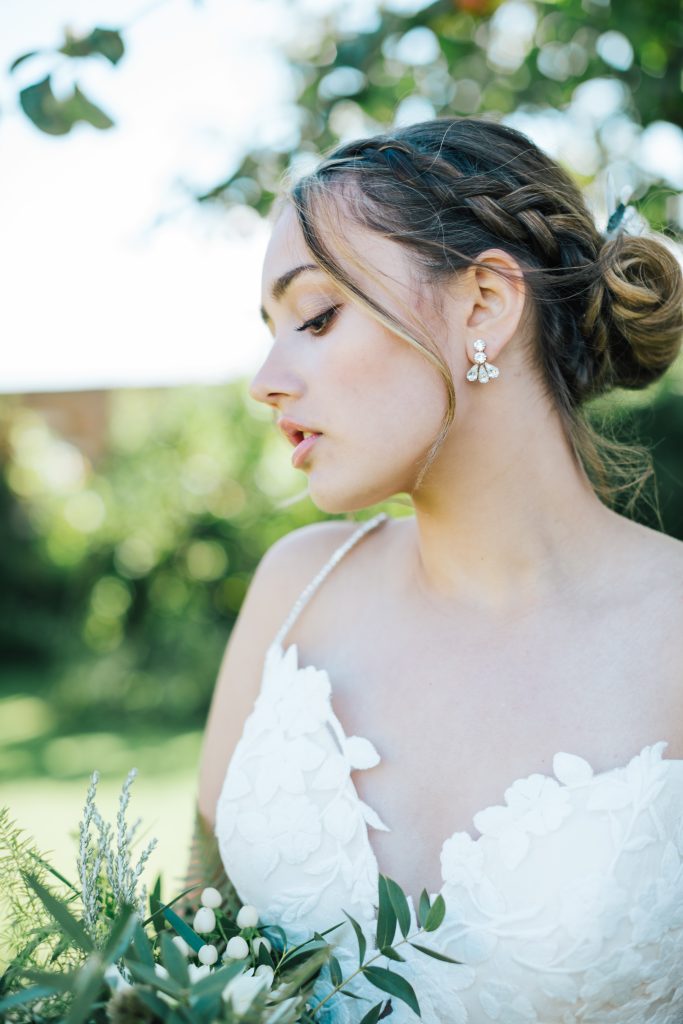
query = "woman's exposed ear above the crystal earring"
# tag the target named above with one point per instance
(495, 292)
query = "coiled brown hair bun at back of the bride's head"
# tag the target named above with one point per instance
(646, 284)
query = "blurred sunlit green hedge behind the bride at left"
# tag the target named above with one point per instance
(125, 577)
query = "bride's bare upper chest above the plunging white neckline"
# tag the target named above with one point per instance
(459, 710)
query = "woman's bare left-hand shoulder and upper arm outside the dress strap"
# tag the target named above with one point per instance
(283, 573)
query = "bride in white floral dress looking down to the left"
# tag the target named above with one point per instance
(485, 699)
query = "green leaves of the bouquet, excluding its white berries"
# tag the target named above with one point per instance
(132, 975)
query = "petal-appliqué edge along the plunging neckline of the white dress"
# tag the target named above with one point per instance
(658, 747)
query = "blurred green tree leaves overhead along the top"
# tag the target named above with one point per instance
(456, 58)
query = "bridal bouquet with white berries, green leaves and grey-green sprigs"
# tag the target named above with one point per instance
(103, 951)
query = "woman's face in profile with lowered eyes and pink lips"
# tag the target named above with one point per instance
(376, 402)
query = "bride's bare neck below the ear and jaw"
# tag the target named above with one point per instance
(506, 520)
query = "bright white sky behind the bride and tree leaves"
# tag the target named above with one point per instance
(94, 294)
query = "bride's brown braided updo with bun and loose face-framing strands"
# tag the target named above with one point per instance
(609, 311)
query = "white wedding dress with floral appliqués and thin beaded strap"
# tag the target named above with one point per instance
(568, 908)
